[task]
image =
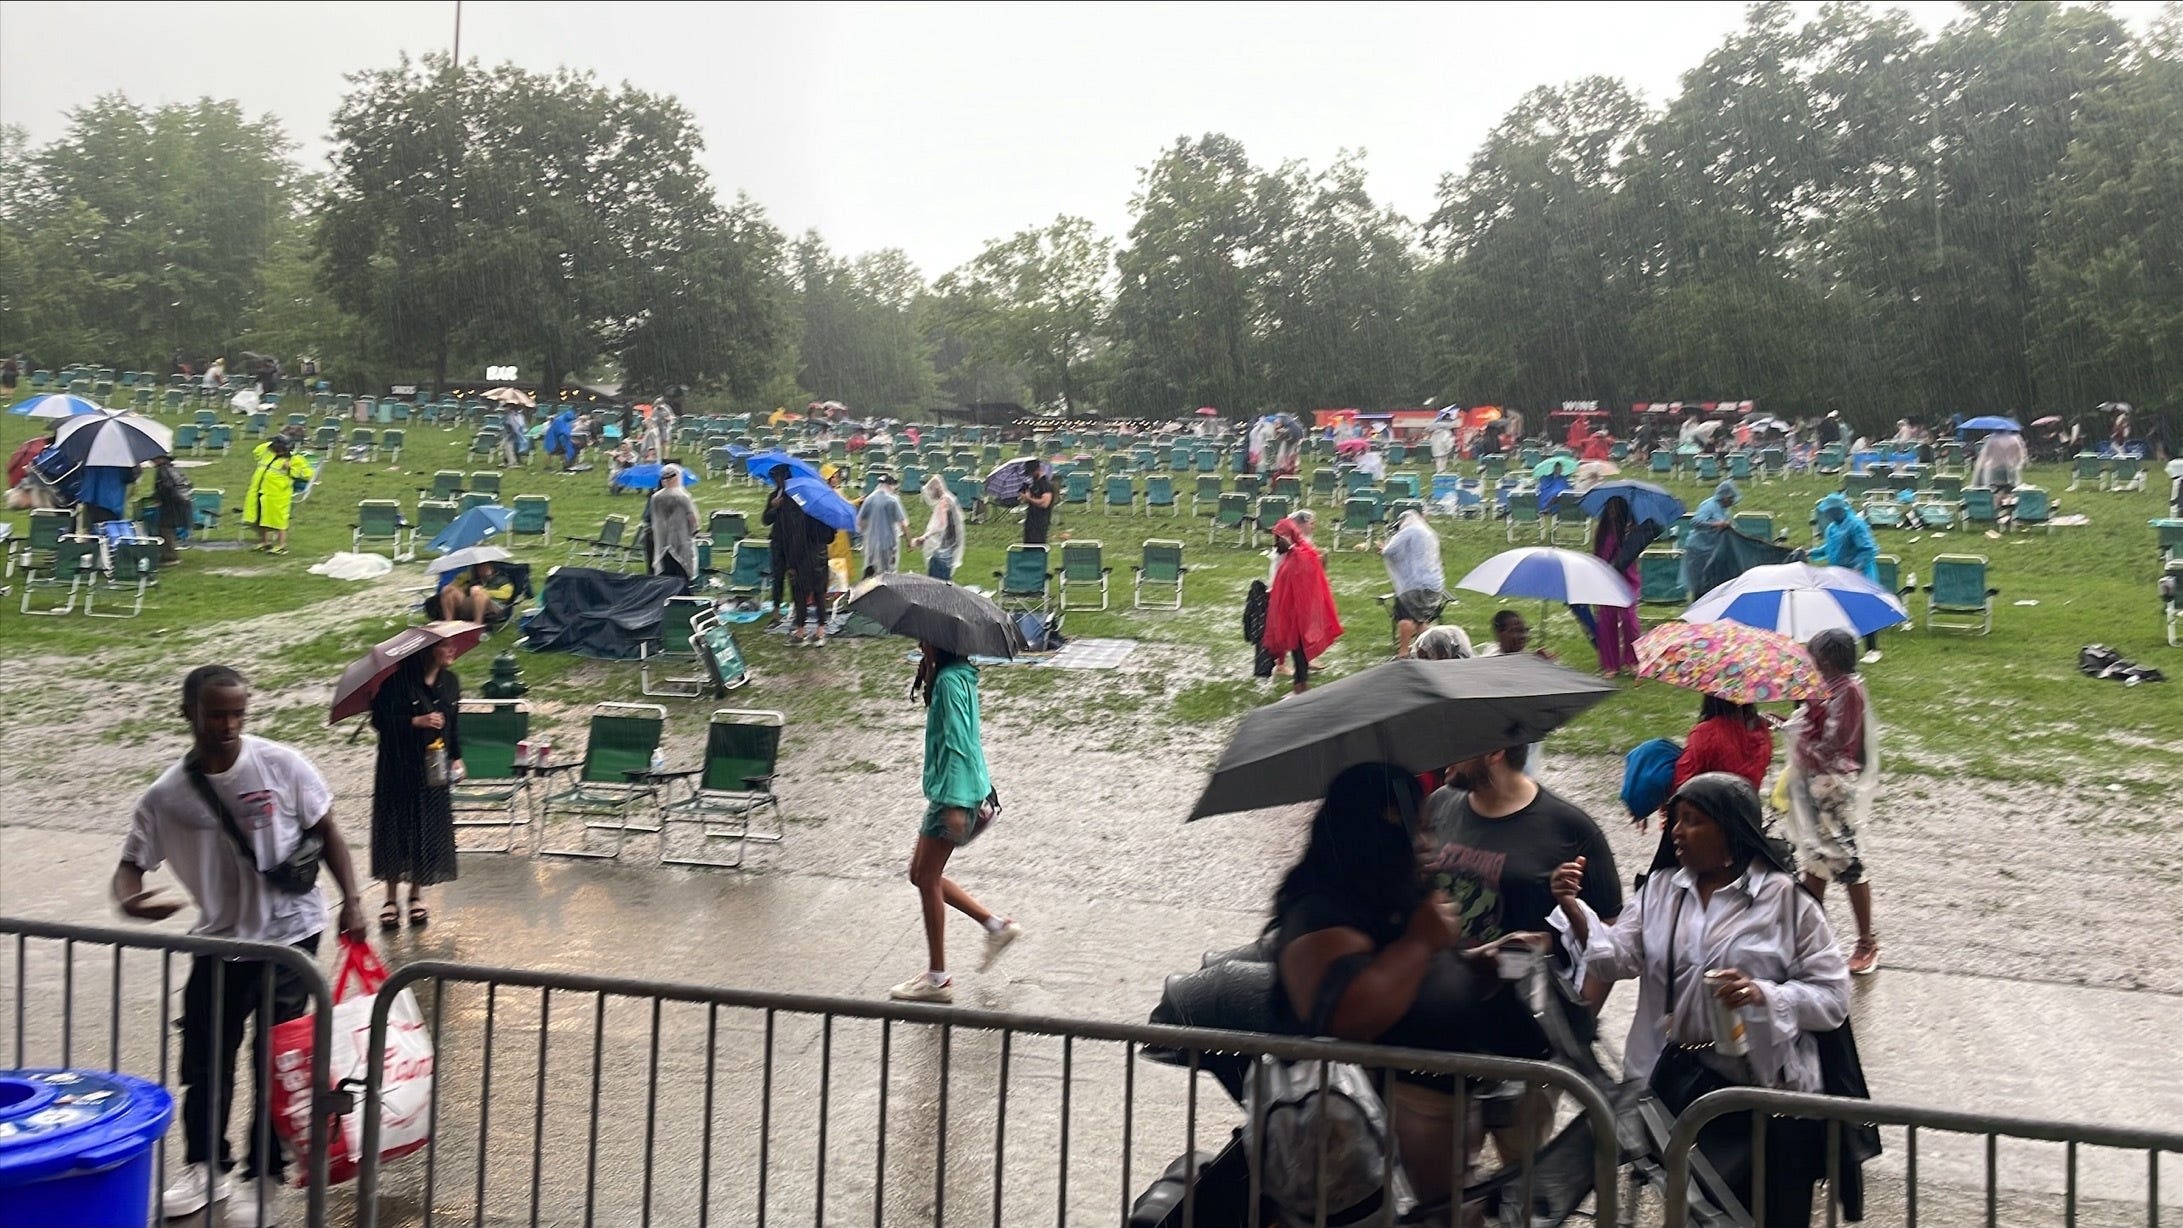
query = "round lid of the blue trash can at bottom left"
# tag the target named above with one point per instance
(75, 1122)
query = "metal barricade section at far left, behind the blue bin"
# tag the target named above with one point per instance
(104, 1018)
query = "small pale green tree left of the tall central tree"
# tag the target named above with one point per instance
(1038, 302)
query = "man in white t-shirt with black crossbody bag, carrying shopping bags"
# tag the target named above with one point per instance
(272, 795)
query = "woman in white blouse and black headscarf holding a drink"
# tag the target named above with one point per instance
(1726, 919)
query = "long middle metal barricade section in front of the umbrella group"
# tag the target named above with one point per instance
(645, 1103)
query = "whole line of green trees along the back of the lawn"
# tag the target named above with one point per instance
(1830, 215)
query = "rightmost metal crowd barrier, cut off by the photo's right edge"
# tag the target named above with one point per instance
(1767, 1107)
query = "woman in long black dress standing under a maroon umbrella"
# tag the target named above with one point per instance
(411, 823)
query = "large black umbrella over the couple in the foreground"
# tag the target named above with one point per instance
(1416, 714)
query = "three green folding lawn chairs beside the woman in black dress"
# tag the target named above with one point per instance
(610, 788)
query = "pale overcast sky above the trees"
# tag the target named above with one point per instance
(927, 128)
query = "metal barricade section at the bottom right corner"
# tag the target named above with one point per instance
(1767, 1105)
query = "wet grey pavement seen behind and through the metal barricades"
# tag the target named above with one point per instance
(1946, 1039)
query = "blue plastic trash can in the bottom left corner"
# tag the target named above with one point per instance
(77, 1148)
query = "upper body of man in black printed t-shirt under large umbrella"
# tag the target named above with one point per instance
(1496, 843)
